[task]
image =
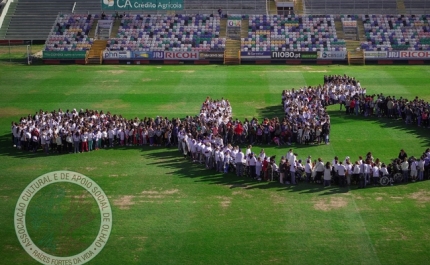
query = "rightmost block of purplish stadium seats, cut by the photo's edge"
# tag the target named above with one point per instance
(400, 32)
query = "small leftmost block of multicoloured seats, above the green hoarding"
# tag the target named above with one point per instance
(70, 33)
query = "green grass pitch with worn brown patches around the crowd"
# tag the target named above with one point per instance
(169, 211)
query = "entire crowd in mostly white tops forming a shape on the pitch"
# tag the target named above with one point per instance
(213, 137)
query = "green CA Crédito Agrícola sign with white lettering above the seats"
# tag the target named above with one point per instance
(149, 5)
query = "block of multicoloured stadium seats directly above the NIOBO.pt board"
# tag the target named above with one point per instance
(292, 33)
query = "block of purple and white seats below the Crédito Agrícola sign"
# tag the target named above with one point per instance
(168, 33)
